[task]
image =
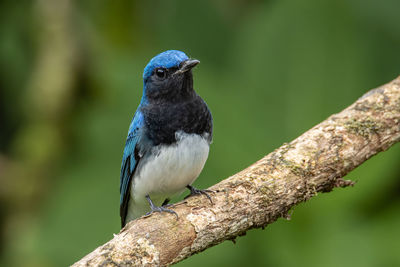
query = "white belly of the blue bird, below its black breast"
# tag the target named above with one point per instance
(167, 173)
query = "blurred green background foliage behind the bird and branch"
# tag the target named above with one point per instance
(70, 82)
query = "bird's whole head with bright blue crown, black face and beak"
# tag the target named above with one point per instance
(168, 76)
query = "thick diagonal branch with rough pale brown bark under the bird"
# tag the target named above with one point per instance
(257, 196)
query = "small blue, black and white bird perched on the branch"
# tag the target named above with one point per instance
(168, 139)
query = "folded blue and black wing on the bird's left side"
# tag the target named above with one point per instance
(130, 161)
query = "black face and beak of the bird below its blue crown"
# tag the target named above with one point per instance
(171, 84)
